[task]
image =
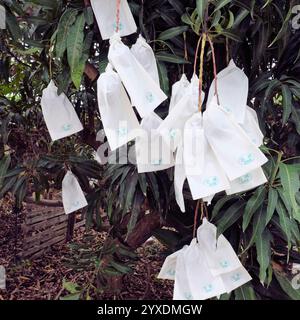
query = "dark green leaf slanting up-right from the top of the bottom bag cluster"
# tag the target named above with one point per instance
(230, 216)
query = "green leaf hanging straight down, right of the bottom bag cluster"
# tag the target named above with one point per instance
(263, 249)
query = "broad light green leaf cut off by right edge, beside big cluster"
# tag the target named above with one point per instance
(291, 185)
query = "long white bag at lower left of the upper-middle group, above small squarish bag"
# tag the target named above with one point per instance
(119, 120)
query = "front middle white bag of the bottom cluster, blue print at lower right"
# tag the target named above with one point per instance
(202, 283)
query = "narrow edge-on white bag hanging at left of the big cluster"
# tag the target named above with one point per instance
(179, 177)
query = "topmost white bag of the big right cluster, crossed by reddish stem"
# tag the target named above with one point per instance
(233, 86)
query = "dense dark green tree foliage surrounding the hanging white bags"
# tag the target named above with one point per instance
(59, 39)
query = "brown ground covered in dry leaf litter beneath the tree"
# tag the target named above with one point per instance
(41, 278)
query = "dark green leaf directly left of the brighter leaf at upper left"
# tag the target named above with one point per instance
(65, 22)
